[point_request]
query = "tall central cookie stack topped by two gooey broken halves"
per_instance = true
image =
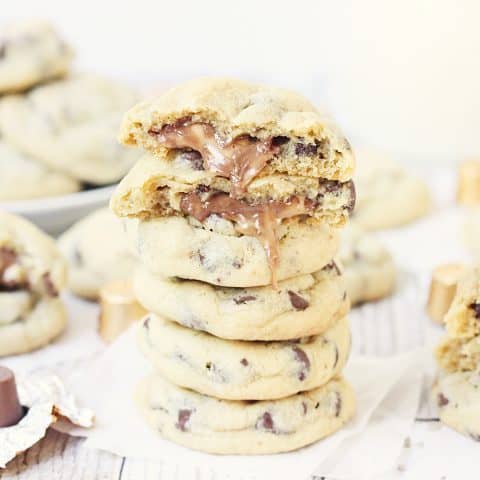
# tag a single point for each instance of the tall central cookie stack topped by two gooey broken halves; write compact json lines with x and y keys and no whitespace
{"x":234,"y":214}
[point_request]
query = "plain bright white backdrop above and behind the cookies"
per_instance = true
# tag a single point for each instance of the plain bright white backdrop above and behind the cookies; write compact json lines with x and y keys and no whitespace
{"x":404,"y":75}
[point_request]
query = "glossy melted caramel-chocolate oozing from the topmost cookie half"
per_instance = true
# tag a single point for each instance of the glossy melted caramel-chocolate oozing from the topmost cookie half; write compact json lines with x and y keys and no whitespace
{"x":240,"y":159}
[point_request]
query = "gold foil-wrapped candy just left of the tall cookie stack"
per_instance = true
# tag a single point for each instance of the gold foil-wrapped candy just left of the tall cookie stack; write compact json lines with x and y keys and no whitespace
{"x":118,"y":309}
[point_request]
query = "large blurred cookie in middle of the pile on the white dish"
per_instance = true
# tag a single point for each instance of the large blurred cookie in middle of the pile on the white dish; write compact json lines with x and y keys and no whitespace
{"x":70,"y":126}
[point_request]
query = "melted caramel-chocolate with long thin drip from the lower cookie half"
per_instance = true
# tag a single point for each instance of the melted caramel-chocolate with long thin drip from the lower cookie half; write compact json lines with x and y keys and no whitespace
{"x":260,"y":221}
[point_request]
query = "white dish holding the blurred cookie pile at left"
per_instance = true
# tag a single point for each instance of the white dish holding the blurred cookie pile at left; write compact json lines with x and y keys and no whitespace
{"x":56,"y":214}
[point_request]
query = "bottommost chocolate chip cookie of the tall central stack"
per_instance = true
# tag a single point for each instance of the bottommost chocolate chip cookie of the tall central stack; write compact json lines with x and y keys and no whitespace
{"x":245,"y":427}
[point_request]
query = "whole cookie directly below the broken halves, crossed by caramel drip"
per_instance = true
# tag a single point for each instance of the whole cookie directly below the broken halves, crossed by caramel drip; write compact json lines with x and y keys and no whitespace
{"x":213,"y":252}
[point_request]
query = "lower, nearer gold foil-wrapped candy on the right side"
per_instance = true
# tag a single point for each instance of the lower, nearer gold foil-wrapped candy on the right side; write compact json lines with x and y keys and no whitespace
{"x":442,"y":289}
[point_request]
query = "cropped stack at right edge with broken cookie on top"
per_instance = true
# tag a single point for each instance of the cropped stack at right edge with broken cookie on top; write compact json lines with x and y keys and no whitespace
{"x":457,"y":390}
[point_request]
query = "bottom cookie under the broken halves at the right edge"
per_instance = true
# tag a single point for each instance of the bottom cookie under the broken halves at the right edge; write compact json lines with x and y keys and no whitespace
{"x":457,"y":396}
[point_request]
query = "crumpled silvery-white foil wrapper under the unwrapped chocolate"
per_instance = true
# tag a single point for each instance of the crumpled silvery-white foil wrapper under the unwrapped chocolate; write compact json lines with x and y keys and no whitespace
{"x":45,"y":399}
